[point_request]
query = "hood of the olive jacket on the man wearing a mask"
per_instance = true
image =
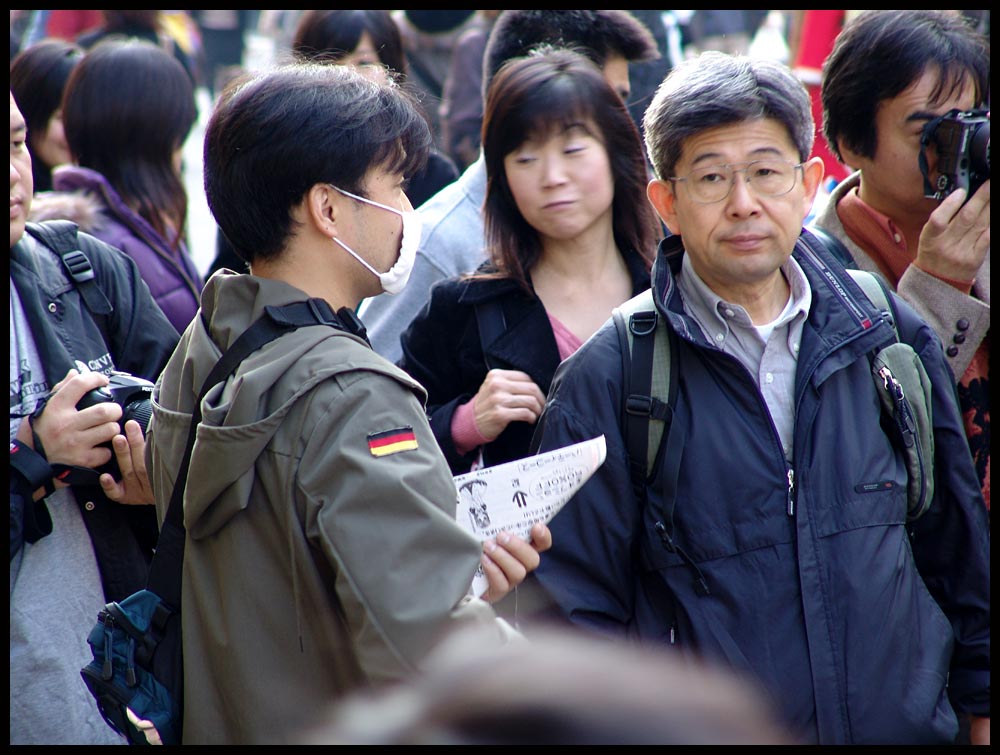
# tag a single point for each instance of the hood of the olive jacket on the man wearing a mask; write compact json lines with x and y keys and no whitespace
{"x":240,"y":415}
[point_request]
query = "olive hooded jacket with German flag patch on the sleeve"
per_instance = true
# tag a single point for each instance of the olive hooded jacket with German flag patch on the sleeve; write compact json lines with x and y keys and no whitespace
{"x":318,"y":559}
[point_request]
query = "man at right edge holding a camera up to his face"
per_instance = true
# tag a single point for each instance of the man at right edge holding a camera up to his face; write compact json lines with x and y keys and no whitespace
{"x":905,"y":99}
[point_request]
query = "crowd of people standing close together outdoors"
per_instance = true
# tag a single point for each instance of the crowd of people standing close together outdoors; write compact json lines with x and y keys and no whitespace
{"x":465,"y":198}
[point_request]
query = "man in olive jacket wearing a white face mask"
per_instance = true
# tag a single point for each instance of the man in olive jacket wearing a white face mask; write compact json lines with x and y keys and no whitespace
{"x":322,"y":550}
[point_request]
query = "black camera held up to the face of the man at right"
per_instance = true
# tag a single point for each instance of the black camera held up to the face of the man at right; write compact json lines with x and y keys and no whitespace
{"x":962,"y":142}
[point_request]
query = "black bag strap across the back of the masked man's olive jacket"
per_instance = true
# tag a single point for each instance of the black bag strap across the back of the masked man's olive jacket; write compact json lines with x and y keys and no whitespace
{"x":165,"y":569}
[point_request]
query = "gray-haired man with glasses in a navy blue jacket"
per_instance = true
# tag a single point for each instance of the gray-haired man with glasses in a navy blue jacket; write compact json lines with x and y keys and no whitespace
{"x":772,"y":535}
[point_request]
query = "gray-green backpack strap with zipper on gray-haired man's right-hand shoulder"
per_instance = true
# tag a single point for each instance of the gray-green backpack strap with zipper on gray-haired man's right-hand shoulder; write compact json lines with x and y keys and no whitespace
{"x":906,"y":395}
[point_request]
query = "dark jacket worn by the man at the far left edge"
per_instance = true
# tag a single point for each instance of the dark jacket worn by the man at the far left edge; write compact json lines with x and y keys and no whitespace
{"x":135,"y":337}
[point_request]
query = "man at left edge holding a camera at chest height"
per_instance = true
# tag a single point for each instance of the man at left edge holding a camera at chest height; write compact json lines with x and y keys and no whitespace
{"x":74,"y":320}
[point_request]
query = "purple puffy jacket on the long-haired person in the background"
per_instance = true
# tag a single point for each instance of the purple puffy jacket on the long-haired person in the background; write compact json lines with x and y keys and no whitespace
{"x":172,"y":276}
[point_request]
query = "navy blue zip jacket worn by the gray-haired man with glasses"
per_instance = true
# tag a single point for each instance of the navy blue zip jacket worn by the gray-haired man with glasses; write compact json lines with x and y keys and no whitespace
{"x":860,"y":627}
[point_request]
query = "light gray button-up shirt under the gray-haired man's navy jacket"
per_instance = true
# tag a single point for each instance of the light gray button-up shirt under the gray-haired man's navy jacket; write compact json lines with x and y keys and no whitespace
{"x":769,"y":352}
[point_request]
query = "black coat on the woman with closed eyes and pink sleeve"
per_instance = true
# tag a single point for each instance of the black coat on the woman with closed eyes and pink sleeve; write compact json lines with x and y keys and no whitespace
{"x":443,"y":351}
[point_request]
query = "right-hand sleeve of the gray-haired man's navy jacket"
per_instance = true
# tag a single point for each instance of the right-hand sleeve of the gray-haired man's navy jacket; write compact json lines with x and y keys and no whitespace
{"x":951,"y":544}
